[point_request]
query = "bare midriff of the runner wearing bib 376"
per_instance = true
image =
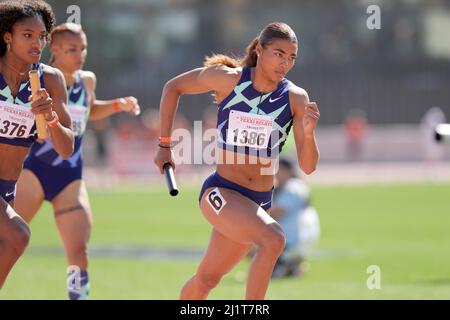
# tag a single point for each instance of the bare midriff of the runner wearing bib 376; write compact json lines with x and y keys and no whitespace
{"x":11,"y":161}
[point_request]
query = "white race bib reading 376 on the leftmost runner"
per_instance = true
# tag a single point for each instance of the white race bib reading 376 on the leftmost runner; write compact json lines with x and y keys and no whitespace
{"x":16,"y":121}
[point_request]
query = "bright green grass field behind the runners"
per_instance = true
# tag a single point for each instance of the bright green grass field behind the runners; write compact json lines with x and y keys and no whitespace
{"x":401,"y":228}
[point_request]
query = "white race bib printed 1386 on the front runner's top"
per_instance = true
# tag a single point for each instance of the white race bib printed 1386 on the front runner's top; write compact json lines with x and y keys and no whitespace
{"x":249,"y":130}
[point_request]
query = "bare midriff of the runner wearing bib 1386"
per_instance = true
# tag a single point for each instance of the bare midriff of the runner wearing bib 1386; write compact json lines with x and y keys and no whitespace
{"x":248,"y":171}
